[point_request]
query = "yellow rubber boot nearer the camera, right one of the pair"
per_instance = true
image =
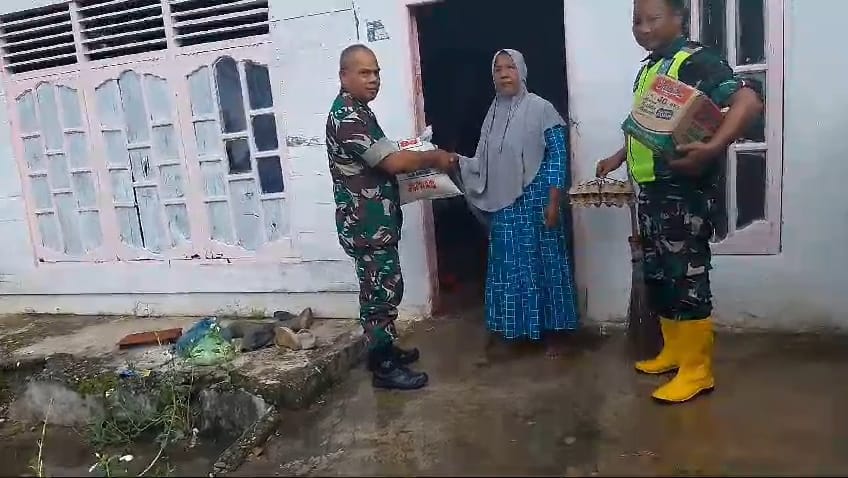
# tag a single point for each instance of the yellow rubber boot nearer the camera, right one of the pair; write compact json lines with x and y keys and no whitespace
{"x":695,"y":355}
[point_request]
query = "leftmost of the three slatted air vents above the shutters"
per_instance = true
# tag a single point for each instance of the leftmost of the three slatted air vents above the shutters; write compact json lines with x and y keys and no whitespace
{"x":37,"y":39}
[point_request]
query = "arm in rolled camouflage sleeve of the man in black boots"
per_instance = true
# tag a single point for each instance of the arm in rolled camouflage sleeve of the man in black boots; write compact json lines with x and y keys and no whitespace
{"x":356,"y":138}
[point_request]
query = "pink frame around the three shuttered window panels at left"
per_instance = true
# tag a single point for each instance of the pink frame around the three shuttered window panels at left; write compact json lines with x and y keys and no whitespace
{"x":172,"y":64}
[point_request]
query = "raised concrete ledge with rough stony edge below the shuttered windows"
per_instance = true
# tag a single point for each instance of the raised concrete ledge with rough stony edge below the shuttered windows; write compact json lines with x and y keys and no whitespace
{"x":51,"y":361}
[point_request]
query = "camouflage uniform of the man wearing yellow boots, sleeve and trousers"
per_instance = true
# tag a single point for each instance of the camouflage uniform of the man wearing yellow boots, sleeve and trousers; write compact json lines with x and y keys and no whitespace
{"x":677,"y":213}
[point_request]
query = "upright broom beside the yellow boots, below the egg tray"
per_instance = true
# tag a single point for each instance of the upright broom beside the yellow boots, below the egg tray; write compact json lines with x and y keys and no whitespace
{"x":643,"y":327}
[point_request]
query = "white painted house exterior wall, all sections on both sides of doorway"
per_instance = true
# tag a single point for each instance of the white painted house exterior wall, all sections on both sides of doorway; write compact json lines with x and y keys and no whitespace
{"x":802,"y":287}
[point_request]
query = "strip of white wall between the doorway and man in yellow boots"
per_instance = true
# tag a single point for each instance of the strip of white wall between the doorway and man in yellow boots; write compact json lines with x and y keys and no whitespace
{"x":601,"y":64}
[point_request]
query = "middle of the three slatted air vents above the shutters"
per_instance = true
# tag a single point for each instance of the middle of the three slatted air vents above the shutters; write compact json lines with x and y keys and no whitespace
{"x":113,"y":28}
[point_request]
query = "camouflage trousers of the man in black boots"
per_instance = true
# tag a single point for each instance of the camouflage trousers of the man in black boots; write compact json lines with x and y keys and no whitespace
{"x":380,"y":292}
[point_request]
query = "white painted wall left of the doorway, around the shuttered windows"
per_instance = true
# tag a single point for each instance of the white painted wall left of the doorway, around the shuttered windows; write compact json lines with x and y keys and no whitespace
{"x":308,"y":37}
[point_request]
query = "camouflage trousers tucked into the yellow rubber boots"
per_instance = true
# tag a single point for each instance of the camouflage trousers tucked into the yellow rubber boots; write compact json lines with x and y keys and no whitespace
{"x":675,"y":232}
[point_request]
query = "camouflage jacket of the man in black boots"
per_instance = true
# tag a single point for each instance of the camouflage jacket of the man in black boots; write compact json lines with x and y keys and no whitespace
{"x":368,"y":214}
